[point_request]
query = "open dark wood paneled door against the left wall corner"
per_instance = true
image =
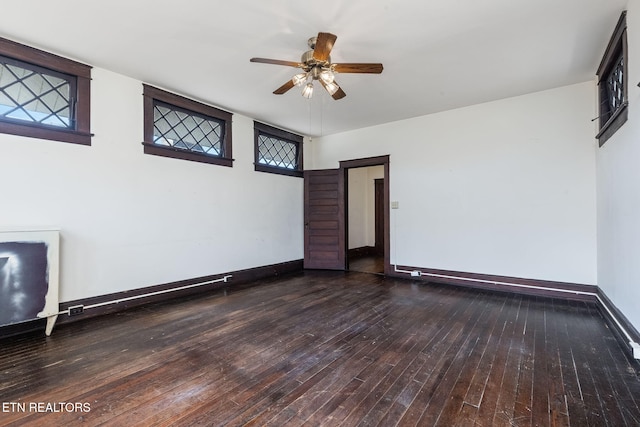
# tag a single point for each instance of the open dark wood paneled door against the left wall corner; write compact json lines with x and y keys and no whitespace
{"x":324,"y":229}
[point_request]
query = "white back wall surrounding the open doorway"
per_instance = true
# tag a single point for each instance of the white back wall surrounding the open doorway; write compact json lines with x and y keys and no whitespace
{"x":504,"y":188}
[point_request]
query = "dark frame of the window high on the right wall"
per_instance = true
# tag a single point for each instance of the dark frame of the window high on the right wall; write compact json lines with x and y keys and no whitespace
{"x":611,"y":121}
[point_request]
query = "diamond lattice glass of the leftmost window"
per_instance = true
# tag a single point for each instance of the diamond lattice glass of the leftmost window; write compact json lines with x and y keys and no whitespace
{"x":34,"y":96}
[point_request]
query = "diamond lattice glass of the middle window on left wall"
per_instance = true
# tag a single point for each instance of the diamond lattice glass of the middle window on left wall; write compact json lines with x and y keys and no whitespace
{"x":179,"y":129}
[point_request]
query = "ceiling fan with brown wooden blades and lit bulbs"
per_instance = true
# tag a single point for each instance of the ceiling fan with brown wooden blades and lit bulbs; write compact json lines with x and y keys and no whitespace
{"x":316,"y":65}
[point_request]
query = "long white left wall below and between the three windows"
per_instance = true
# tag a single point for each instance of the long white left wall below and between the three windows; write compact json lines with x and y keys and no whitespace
{"x":131,"y":220}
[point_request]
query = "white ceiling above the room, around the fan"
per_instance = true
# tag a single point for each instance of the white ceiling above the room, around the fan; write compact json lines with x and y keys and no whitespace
{"x":437,"y":54}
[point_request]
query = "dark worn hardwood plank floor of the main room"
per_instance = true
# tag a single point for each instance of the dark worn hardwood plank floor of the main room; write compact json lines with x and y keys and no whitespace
{"x":328,"y":348}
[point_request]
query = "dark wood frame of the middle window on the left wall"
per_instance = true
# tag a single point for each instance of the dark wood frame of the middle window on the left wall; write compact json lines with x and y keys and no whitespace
{"x":180,"y":103}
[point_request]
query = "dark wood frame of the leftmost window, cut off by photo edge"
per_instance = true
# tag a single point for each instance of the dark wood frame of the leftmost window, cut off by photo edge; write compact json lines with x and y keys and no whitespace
{"x":80,"y":131}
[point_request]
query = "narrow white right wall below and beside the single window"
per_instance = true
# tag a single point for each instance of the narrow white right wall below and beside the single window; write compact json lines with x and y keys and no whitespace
{"x":619,"y":194}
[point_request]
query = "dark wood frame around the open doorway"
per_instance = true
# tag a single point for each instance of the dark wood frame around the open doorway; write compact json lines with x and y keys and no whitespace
{"x":345,"y":165}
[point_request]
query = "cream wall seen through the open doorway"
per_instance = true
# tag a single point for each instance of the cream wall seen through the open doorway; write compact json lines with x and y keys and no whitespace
{"x":361,"y":192}
